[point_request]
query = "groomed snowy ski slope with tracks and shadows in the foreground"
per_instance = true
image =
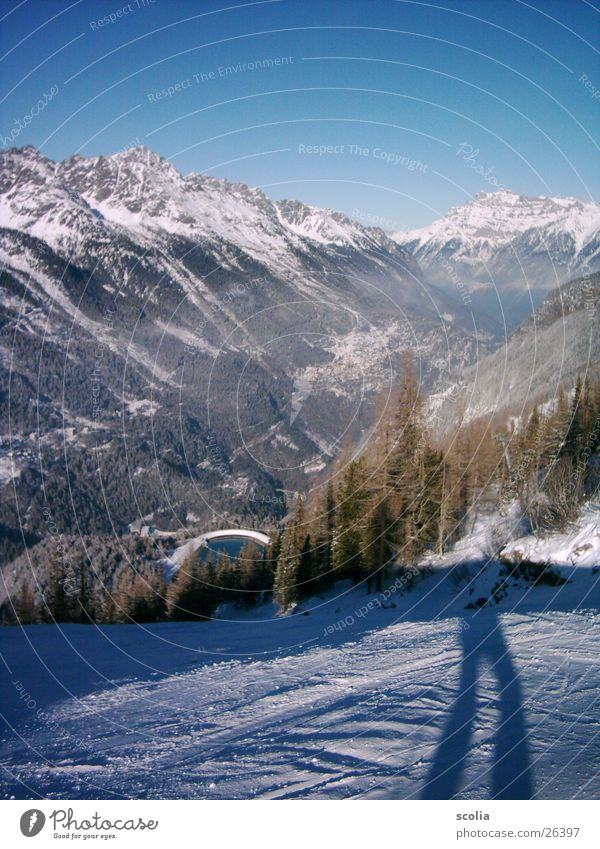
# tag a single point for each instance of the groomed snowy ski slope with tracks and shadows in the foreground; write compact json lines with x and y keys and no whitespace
{"x":397,"y":695}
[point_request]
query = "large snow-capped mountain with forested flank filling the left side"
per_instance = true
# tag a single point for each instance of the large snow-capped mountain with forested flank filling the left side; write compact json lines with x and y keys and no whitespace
{"x":182,"y":346}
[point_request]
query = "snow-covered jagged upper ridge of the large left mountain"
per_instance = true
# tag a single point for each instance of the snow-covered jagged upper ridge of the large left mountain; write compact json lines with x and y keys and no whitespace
{"x":142,"y":193}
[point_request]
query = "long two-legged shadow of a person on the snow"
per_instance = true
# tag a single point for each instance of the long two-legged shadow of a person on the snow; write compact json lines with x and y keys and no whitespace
{"x":483,"y":640}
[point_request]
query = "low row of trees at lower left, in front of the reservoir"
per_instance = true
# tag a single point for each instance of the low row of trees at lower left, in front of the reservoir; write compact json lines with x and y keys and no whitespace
{"x":105,"y":580}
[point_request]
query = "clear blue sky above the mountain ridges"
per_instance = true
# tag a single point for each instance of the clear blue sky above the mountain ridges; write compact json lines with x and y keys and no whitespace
{"x":411,"y":107}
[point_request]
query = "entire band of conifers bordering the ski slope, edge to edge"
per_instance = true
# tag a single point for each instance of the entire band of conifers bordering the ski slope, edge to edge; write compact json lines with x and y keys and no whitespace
{"x":382,"y":508}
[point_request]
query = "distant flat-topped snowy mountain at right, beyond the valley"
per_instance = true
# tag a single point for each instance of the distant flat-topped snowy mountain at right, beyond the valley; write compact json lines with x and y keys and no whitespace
{"x":505,"y":252}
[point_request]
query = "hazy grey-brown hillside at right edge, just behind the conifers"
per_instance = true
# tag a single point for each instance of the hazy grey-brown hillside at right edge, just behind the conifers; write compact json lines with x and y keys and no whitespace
{"x":560,"y":342}
